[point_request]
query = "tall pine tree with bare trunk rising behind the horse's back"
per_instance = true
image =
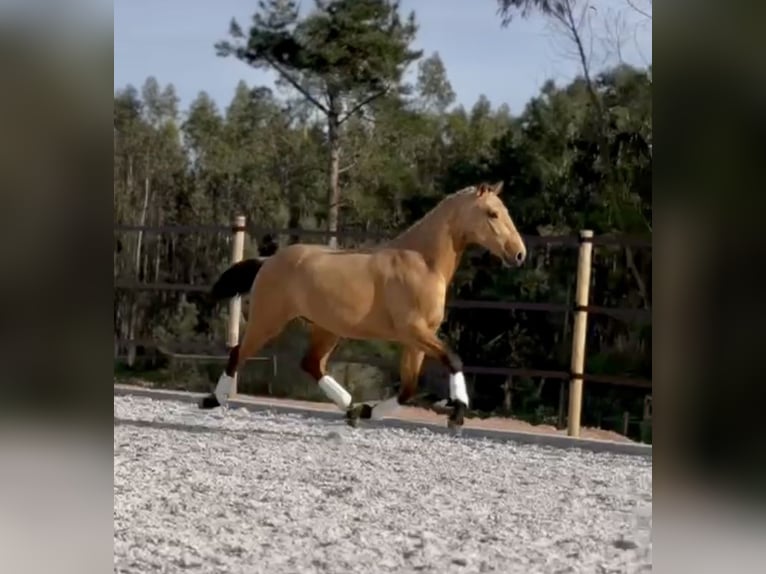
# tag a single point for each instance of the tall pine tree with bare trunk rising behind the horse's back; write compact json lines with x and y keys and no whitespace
{"x":340,"y":57}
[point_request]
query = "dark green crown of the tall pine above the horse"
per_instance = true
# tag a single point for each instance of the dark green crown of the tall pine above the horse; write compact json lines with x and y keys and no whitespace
{"x":350,"y":45}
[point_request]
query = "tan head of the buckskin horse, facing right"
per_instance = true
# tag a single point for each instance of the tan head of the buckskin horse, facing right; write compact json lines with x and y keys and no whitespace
{"x":484,"y":220}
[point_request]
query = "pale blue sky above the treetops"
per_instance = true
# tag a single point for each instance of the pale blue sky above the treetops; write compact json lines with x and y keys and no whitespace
{"x":173,"y":41}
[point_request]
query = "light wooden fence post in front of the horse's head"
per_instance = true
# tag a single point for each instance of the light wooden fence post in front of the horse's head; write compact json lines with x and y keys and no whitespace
{"x":579,"y":332}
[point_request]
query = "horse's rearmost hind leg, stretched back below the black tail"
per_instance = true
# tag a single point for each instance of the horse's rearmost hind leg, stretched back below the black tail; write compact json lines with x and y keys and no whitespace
{"x":258,"y":332}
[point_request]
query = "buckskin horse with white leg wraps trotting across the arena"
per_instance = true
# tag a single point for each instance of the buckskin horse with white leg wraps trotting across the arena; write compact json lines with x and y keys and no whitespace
{"x":395,"y":292}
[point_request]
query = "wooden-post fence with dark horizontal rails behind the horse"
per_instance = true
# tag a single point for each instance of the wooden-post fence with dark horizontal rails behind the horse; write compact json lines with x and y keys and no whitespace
{"x":581,"y":309}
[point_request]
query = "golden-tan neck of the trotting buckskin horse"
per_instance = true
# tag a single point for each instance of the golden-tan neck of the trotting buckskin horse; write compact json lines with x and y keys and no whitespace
{"x":432,"y":238}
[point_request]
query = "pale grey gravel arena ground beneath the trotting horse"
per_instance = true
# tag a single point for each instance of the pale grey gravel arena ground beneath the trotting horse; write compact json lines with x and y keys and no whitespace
{"x":243,"y":492}
